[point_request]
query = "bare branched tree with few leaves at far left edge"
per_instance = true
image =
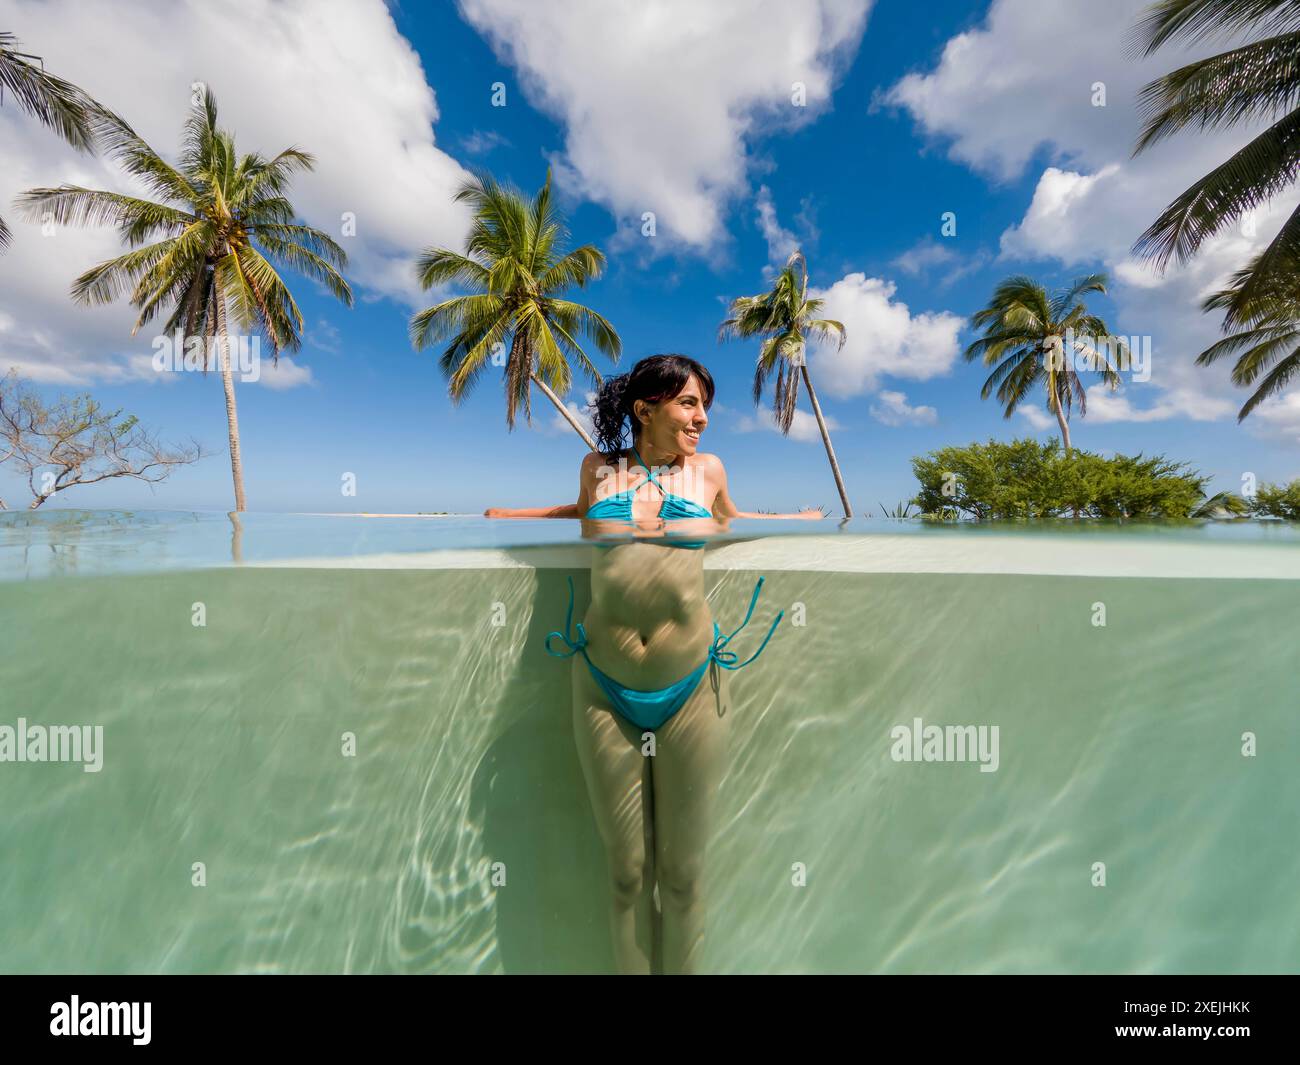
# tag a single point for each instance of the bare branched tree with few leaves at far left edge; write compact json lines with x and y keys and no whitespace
{"x":77,"y":441}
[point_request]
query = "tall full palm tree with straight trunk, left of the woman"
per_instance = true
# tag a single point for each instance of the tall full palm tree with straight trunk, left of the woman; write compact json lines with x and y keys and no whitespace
{"x":218,"y":224}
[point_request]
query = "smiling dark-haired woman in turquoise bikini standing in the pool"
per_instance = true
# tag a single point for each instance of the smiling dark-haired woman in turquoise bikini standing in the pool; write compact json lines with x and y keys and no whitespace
{"x":651,"y":735}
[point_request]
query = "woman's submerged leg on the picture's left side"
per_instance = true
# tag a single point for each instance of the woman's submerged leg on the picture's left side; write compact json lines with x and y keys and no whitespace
{"x":618,"y":782}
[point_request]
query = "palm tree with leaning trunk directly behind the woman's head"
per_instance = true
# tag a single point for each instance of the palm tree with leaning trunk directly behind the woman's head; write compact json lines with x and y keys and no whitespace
{"x":517,"y":266}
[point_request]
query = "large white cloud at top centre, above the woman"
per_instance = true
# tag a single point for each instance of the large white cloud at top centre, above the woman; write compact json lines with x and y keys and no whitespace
{"x":661,"y":102}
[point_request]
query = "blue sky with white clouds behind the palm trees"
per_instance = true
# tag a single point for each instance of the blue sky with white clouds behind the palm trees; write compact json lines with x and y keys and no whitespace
{"x":911,"y":125}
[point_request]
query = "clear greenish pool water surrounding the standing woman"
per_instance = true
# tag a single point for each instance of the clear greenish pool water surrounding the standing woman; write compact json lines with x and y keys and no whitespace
{"x":460,"y":835}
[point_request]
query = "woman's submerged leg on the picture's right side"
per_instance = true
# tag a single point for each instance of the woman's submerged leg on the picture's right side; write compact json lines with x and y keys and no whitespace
{"x":691,"y":755}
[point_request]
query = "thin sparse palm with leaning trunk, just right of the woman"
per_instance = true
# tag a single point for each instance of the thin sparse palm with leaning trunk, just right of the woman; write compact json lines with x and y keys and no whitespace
{"x":786,"y":318}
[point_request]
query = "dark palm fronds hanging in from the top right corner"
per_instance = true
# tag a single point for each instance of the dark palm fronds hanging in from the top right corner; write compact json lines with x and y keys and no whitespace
{"x":1256,"y":81}
